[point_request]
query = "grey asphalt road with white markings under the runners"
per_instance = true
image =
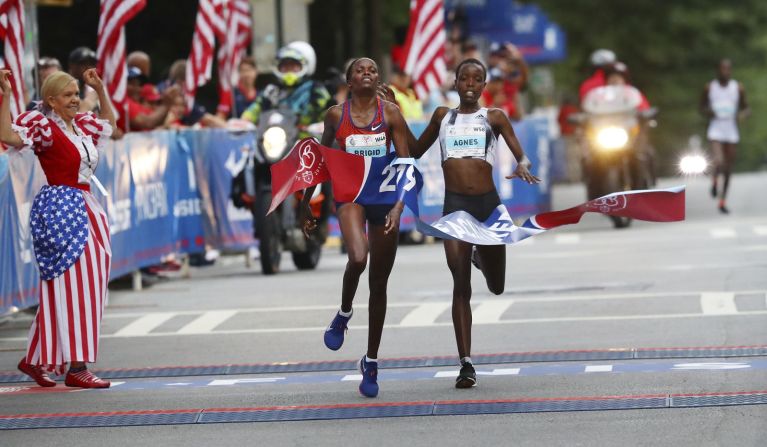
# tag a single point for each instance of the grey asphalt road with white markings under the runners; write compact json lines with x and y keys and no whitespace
{"x":587,"y":289}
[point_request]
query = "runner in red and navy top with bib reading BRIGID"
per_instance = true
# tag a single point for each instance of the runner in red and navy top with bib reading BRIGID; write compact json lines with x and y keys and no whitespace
{"x":365,"y":125}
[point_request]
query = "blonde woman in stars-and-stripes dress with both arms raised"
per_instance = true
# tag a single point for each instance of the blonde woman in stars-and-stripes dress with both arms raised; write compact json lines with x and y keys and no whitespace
{"x":70,"y":230}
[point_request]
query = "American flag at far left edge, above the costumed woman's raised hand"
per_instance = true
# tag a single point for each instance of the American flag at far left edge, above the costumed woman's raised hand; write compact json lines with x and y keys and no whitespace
{"x":12,"y":33}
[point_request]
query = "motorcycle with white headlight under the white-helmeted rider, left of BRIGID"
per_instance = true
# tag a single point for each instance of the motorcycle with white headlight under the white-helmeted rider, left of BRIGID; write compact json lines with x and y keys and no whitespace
{"x":277,"y":132}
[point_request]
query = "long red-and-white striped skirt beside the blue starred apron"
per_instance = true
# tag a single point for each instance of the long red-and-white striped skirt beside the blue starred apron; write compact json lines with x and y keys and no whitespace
{"x":68,"y":322}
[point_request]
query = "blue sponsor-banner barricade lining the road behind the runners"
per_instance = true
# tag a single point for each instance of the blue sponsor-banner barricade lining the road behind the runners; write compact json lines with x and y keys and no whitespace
{"x":168,"y":192}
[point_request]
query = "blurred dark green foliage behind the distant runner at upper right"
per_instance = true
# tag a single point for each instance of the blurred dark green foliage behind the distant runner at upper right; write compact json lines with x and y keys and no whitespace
{"x":672,"y":49}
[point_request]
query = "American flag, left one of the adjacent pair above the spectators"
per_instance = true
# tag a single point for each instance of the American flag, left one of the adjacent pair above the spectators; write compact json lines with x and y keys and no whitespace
{"x":209,"y":26}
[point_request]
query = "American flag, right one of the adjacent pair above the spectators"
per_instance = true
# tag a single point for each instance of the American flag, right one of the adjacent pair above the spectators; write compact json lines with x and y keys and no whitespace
{"x":237,"y":40}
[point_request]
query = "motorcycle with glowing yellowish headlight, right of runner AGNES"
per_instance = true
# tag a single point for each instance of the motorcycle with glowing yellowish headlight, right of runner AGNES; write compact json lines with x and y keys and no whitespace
{"x":613,"y":133}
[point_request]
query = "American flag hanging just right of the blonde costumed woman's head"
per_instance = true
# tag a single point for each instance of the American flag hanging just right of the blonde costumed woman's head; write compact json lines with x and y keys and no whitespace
{"x":113,"y":16}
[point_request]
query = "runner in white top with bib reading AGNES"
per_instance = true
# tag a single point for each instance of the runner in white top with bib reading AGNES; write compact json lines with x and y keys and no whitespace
{"x":468,"y":138}
